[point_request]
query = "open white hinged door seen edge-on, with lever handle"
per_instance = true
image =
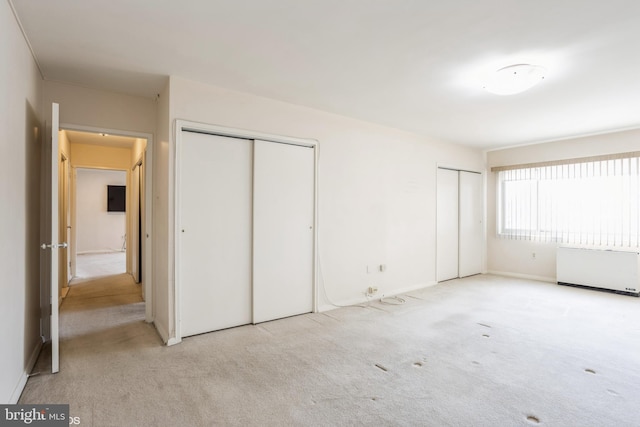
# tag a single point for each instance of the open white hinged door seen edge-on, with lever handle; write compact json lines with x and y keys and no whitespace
{"x":50,"y":245}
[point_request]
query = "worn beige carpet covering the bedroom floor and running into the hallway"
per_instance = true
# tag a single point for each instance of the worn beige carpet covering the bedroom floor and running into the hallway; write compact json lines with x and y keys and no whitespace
{"x":480,"y":351}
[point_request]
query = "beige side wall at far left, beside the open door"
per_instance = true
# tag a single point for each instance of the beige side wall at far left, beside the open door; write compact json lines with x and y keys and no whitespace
{"x":21,"y":134}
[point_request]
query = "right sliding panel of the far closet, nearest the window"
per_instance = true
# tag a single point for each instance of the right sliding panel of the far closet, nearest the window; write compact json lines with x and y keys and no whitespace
{"x":471,"y":239}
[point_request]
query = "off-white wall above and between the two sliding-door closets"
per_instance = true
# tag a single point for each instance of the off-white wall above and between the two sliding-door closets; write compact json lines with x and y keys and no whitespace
{"x":377,"y":187}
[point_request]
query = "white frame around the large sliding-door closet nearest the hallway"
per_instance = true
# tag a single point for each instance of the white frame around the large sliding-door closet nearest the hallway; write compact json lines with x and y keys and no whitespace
{"x":174,"y":214}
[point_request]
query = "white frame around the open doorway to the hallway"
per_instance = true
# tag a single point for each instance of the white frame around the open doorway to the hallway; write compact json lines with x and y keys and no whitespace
{"x":148,"y":246}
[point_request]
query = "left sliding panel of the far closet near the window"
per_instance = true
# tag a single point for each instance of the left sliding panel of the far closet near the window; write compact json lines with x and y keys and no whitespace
{"x":447,"y":225}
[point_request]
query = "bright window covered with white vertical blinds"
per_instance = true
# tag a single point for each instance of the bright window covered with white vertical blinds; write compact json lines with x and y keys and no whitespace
{"x":594,"y":202}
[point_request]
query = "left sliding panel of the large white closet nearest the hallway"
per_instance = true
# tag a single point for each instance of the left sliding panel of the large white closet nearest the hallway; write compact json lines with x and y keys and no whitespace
{"x":214,"y":234}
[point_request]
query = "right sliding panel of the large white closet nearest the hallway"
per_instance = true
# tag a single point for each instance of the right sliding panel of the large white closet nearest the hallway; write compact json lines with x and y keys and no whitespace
{"x":283,"y":204}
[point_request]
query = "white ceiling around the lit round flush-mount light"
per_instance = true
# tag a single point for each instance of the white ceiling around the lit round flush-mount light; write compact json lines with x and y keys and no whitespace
{"x":411,"y":64}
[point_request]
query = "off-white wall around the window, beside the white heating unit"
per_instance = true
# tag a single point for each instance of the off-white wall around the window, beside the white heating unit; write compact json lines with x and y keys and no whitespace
{"x":515,"y":257}
